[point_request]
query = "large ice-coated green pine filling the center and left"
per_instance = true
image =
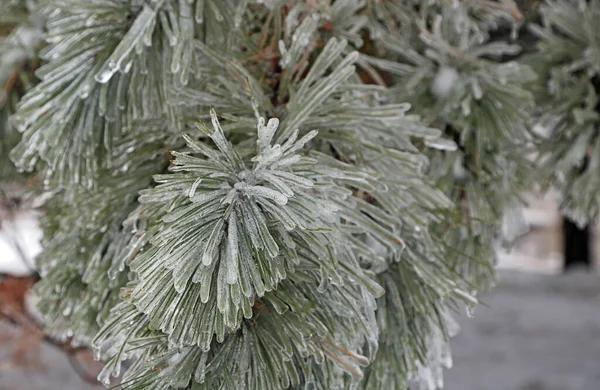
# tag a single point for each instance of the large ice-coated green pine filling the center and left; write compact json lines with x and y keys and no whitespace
{"x":270,"y":194}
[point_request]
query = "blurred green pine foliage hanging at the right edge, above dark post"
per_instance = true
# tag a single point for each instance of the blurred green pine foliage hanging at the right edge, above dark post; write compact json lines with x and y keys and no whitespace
{"x":568,"y":60}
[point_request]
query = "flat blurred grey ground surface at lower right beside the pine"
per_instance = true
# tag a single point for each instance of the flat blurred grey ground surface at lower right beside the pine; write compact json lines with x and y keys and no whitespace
{"x":537,"y":332}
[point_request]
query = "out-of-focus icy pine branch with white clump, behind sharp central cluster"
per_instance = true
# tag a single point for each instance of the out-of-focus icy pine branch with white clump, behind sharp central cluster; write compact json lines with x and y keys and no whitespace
{"x":443,"y":61}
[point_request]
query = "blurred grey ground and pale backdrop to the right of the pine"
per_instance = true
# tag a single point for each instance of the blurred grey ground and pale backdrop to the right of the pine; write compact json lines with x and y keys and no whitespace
{"x":539,"y":329}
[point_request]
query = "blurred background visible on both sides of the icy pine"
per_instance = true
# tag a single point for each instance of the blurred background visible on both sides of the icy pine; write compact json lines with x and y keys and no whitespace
{"x":538,"y":329}
